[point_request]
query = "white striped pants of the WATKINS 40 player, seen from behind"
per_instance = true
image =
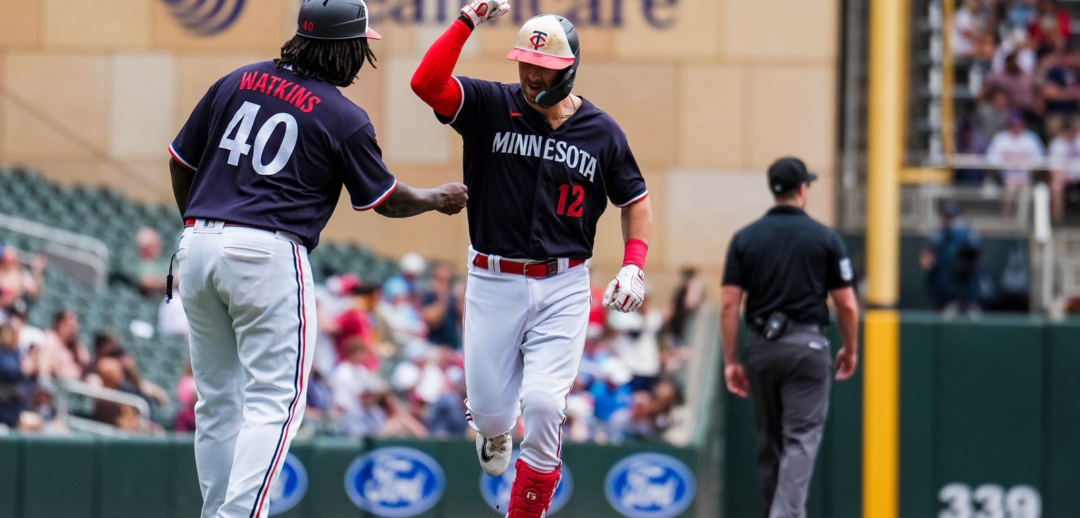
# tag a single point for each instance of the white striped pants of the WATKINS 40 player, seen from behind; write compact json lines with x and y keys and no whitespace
{"x":250,"y":301}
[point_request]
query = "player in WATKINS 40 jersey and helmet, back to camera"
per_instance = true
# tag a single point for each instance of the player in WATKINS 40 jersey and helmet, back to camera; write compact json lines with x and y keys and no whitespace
{"x":258,"y":171}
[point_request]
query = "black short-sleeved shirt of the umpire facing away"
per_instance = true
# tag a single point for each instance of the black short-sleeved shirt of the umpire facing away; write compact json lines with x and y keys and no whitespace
{"x":787,"y":262}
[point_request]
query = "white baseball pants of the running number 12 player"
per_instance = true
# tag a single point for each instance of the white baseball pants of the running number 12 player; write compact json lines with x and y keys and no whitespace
{"x":523,"y":345}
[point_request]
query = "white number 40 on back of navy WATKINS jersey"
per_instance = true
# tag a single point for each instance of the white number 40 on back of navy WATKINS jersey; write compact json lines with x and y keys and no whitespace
{"x":239,"y":146}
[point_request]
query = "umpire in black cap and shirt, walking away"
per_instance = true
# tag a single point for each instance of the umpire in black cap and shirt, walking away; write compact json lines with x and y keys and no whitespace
{"x":788,"y":265}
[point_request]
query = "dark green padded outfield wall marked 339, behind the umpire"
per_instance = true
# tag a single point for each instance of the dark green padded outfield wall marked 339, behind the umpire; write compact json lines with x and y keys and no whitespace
{"x":990,"y":427}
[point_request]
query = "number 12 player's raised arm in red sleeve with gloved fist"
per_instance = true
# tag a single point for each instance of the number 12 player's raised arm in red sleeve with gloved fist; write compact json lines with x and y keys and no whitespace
{"x":434,"y":81}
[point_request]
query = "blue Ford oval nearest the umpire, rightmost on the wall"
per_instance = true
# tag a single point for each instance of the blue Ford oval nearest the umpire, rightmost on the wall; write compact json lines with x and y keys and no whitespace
{"x":651,"y":486}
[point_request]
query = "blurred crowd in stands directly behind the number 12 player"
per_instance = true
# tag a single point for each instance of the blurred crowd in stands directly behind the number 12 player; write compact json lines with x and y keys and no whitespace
{"x":389,"y":362}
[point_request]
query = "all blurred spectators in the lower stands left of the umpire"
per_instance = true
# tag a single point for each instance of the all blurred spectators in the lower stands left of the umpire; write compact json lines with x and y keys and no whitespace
{"x":388,"y":357}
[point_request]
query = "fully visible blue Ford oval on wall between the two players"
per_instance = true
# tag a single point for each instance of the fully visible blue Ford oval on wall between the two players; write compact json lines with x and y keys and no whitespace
{"x":395,"y":483}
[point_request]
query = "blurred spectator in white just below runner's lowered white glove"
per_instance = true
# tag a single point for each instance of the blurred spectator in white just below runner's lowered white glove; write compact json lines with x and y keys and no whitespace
{"x":637,"y":344}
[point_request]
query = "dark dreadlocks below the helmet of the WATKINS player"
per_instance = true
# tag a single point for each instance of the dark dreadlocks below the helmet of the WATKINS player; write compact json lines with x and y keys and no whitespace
{"x":335,"y":62}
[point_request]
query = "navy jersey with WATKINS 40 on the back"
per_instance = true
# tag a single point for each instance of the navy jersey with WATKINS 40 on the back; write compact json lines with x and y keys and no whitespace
{"x":273,"y":151}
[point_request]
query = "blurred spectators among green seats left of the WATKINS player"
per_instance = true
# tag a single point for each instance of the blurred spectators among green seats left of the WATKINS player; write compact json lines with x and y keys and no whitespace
{"x":34,"y":361}
